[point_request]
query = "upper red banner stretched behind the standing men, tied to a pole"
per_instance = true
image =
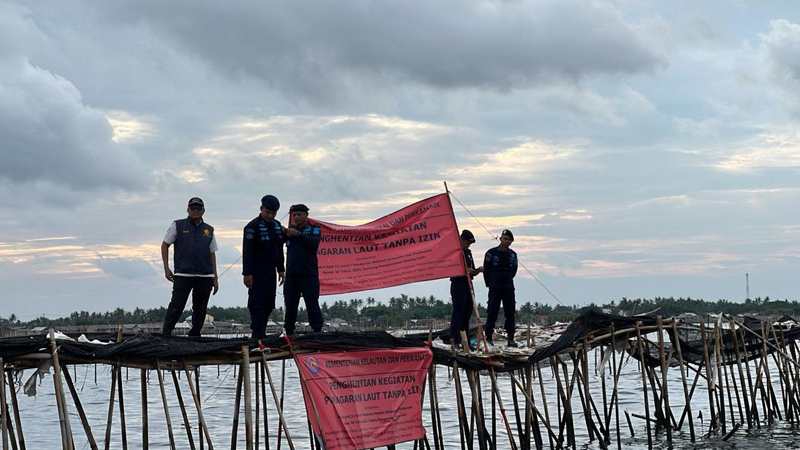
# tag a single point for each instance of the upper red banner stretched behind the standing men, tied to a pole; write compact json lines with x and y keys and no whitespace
{"x":417,"y":243}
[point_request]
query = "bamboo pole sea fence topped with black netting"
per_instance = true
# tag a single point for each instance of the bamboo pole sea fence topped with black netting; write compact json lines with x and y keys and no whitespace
{"x":724,"y":376}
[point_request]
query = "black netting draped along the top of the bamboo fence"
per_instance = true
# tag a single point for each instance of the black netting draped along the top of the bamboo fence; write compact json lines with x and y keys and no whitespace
{"x":744,"y":344}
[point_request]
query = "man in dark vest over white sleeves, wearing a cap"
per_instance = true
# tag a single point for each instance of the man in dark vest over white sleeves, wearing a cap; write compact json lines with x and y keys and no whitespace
{"x":195,"y":266}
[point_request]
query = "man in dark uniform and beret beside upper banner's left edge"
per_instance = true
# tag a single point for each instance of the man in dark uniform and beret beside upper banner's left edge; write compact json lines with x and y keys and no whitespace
{"x":302,"y":275}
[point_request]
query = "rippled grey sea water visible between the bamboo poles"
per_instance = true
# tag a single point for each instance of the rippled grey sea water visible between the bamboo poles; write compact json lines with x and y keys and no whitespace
{"x":218,"y":389}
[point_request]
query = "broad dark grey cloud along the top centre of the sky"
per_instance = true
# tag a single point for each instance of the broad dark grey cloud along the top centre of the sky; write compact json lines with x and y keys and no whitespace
{"x":314,"y":50}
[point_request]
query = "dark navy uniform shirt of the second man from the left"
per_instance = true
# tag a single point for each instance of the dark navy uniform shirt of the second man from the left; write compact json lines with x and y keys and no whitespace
{"x":262,"y":247}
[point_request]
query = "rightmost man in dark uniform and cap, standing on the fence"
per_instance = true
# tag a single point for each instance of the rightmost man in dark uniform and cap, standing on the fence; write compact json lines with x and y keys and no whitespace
{"x":500,"y":266}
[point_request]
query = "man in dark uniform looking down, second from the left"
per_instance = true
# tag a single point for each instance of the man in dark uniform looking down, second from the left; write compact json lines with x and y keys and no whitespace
{"x":262,"y":256}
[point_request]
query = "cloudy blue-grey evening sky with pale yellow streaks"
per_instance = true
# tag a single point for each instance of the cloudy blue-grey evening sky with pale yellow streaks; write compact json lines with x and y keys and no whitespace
{"x":635,"y":148}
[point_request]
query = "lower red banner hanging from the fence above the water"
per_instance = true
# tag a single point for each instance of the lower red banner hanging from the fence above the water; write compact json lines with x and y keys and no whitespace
{"x":365,"y":399}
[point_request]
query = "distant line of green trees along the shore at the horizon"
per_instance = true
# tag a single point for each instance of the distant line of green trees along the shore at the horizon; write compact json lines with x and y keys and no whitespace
{"x":399,"y":311}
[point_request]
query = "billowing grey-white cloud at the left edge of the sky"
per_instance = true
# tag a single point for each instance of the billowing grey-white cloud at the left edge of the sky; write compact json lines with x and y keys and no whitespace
{"x":47,"y":133}
